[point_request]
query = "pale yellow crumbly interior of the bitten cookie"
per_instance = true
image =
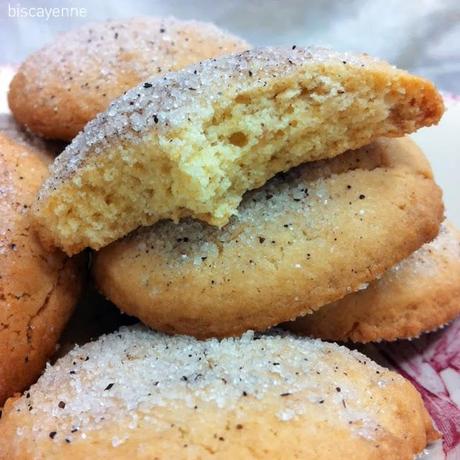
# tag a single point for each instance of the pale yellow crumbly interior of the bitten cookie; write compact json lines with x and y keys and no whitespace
{"x":203,"y":168}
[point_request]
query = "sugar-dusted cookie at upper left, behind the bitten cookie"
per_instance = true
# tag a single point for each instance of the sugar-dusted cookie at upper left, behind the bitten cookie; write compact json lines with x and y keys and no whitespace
{"x":59,"y":88}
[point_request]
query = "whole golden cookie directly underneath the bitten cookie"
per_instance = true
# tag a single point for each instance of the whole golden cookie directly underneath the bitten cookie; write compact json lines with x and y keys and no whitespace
{"x":306,"y":238}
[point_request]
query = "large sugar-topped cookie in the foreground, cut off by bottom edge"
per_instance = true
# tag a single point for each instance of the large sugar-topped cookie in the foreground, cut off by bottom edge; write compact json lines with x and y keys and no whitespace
{"x":142,"y":395}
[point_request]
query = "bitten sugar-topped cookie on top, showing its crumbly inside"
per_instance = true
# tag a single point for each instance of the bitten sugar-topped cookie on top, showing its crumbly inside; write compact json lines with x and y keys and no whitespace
{"x":192,"y":142}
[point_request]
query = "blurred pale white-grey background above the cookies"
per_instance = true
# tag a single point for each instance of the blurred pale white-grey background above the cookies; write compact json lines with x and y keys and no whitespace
{"x":420,"y":35}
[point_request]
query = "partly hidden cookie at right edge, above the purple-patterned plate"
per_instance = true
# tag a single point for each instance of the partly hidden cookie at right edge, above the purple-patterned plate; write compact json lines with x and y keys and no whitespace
{"x":420,"y":294}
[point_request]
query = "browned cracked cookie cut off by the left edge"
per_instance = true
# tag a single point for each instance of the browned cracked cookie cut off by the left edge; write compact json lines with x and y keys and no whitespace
{"x":38,"y":287}
